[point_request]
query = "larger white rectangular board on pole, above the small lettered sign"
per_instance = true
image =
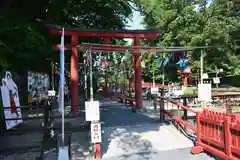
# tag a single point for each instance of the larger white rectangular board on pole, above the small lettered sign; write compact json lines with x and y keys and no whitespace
{"x":92,"y":111}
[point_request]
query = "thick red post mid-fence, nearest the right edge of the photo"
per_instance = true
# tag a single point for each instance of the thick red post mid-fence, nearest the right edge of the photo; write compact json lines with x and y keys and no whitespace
{"x":227,"y":136}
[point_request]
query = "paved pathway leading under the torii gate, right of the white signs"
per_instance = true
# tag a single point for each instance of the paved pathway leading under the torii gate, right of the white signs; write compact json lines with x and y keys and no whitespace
{"x":140,"y":136}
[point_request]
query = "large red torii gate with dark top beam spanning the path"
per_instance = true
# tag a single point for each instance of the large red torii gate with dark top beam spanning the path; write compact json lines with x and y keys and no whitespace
{"x":107,"y":35}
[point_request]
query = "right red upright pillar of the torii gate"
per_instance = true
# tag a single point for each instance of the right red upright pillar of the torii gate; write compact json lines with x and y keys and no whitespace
{"x":138,"y":75}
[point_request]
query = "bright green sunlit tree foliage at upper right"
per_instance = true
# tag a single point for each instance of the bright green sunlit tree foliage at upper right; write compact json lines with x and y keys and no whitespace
{"x":197,"y":23}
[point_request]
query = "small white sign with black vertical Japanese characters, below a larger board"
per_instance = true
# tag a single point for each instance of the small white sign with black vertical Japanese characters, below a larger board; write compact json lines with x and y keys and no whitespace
{"x":96,"y":136}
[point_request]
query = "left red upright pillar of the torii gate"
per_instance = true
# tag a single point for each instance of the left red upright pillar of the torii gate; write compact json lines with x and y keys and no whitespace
{"x":74,"y":74}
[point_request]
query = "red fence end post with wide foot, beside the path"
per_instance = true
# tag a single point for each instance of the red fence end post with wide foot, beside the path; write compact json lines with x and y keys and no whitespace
{"x":197,"y":148}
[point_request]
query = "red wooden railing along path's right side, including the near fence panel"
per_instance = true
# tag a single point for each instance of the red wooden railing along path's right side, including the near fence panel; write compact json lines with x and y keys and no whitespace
{"x":216,"y":132}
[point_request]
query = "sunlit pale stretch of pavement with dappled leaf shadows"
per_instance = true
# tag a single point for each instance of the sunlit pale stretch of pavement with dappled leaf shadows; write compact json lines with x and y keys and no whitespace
{"x":150,"y":138}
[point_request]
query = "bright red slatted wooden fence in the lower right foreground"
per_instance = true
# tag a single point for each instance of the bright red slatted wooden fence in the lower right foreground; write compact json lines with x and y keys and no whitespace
{"x":218,"y":133}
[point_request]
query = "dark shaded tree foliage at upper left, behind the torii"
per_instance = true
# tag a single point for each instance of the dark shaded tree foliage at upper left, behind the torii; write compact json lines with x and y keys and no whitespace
{"x":24,"y":40}
